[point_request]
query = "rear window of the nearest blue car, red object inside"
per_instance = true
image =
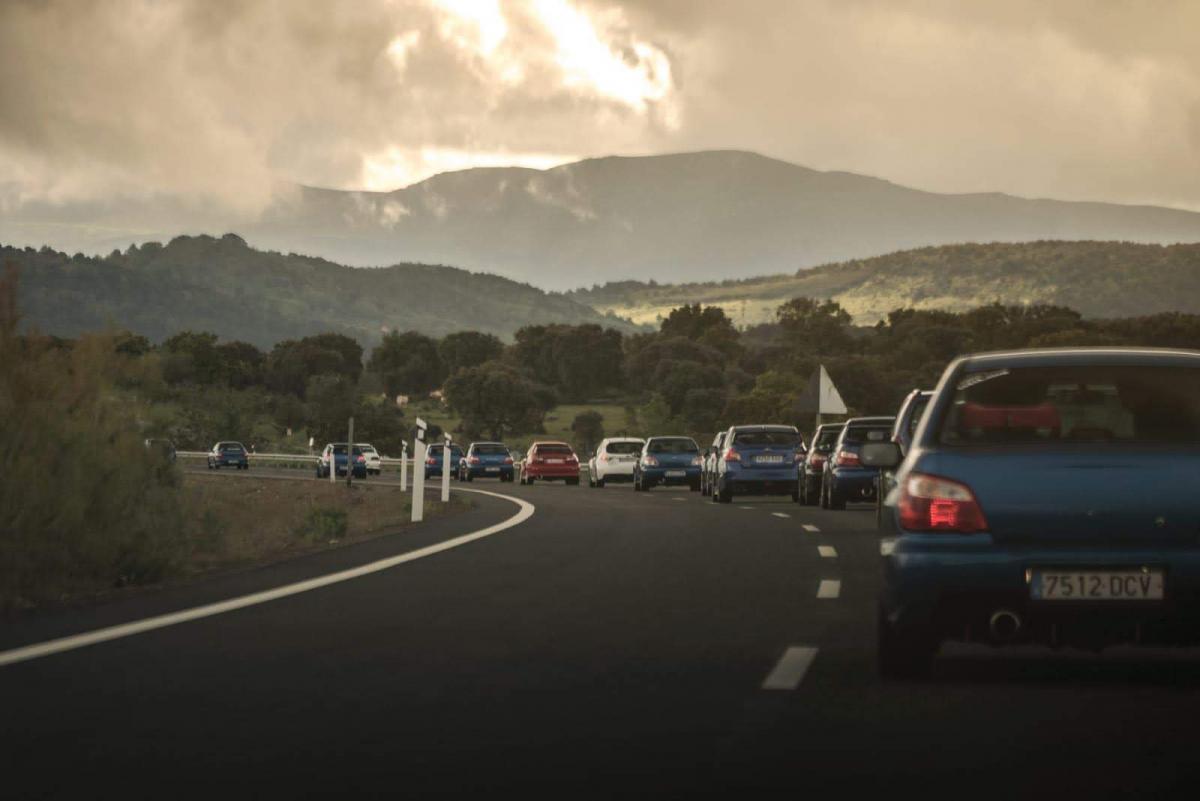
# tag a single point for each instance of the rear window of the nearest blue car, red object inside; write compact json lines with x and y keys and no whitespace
{"x":1033,"y":406}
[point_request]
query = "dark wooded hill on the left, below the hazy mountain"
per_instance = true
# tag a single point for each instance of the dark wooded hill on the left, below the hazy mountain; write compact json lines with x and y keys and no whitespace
{"x":225,"y":287}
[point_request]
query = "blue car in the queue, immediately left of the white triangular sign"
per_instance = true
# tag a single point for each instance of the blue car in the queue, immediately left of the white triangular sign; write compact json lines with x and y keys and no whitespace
{"x":759,"y":461}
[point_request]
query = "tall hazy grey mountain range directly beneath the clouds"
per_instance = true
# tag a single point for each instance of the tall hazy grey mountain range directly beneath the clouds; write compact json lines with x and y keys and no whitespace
{"x":703,"y":216}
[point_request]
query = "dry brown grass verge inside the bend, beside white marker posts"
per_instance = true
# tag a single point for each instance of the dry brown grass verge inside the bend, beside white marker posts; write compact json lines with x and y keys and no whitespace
{"x":235,"y":522}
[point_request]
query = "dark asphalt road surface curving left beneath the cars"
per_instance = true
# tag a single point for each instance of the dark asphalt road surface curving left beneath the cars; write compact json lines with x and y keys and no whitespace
{"x":616,"y":645}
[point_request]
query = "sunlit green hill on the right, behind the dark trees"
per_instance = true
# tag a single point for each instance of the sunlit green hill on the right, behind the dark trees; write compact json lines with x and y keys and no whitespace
{"x":1099,"y":279}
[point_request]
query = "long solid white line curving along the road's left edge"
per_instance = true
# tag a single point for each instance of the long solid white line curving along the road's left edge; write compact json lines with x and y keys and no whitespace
{"x":27,"y":653}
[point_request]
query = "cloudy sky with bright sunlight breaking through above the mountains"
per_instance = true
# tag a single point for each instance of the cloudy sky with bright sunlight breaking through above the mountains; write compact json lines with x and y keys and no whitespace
{"x":226,"y":101}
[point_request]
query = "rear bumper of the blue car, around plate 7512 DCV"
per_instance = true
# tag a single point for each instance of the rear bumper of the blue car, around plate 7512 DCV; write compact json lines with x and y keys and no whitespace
{"x":952,"y":588}
